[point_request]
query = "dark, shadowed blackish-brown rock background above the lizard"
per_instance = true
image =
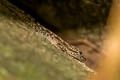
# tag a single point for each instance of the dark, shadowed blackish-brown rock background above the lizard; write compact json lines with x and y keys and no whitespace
{"x":67,"y":14}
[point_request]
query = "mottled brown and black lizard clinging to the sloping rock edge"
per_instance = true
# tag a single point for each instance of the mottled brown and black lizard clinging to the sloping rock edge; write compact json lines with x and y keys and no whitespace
{"x":58,"y":42}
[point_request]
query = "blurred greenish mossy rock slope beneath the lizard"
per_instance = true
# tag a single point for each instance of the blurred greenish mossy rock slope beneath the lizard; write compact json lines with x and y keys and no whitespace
{"x":26,"y":55}
